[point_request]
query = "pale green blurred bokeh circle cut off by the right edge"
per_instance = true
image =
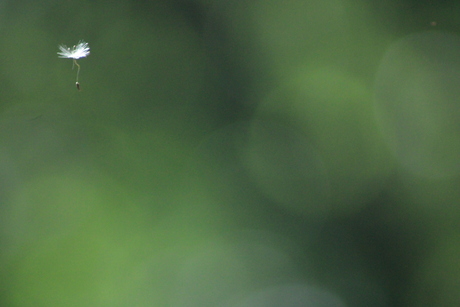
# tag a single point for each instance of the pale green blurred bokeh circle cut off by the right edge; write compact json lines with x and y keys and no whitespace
{"x":416,"y":100}
